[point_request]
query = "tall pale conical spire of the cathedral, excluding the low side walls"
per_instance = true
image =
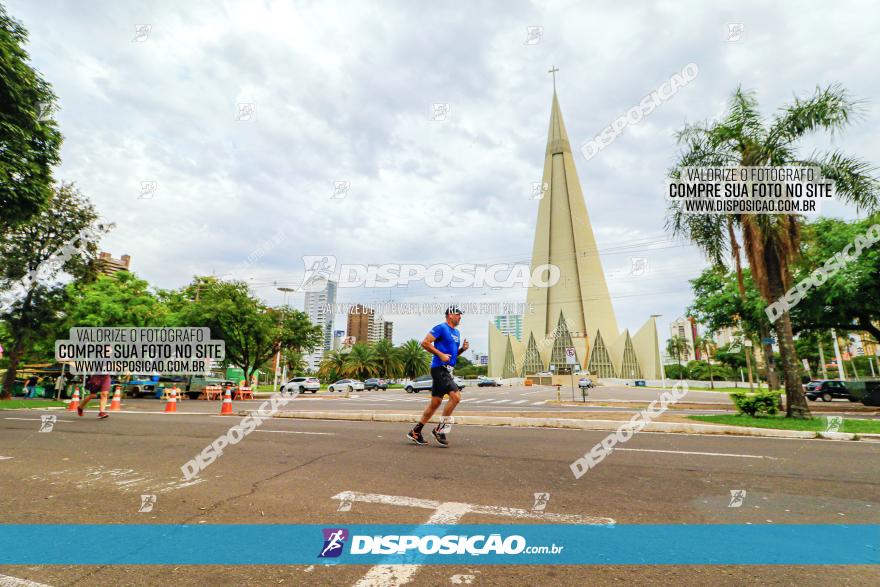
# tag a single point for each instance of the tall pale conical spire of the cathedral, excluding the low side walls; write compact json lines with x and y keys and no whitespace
{"x":564,"y":238}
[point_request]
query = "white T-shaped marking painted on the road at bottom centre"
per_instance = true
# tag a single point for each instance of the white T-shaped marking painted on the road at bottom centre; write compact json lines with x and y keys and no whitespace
{"x":444,"y":513}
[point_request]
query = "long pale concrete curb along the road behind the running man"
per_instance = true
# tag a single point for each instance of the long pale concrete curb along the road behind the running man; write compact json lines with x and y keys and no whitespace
{"x":608,"y":425}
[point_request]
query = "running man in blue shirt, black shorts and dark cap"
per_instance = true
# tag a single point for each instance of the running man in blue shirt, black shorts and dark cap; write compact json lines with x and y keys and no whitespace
{"x":442,"y":342}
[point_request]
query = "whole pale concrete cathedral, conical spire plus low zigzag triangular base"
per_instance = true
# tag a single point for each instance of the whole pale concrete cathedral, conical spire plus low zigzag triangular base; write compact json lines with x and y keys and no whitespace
{"x":576,"y":312}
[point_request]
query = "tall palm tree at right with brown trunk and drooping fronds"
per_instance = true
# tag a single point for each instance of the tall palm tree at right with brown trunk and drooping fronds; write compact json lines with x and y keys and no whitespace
{"x":772,"y":241}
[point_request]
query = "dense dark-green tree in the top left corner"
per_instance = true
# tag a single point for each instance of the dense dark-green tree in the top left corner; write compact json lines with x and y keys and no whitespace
{"x":30,"y":141}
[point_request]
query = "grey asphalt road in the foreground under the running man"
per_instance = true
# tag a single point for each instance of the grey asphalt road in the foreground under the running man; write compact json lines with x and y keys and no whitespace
{"x":288,"y":471}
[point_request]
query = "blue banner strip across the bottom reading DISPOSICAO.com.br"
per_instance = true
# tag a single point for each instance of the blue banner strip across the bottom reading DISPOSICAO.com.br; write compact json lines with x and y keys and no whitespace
{"x":514,"y":544}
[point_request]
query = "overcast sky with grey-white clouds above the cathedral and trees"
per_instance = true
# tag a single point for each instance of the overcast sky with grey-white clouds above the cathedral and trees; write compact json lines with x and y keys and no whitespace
{"x":344,"y":92}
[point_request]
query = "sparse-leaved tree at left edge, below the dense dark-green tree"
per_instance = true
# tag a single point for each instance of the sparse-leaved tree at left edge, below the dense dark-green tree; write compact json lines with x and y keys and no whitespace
{"x":32,"y":255}
